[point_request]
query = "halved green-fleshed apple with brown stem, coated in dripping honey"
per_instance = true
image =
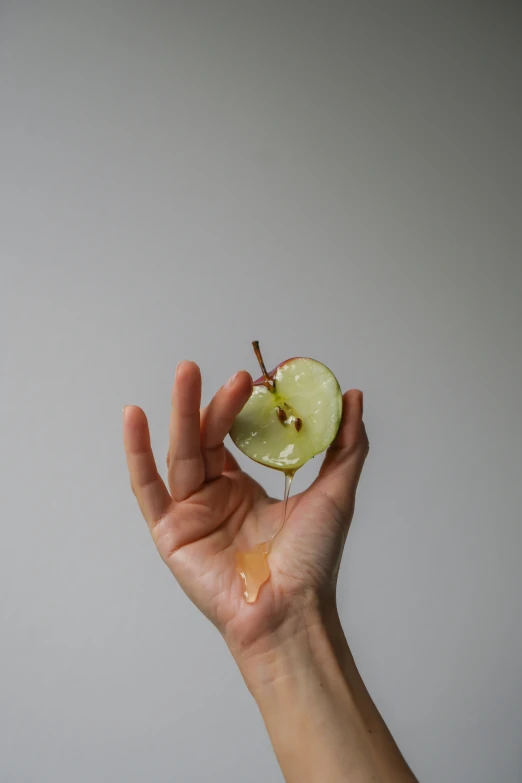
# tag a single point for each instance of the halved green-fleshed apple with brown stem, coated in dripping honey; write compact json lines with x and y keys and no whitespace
{"x":293,"y":414}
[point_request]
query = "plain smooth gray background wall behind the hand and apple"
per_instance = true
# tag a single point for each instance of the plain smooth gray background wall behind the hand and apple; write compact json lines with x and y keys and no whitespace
{"x":337,"y":180}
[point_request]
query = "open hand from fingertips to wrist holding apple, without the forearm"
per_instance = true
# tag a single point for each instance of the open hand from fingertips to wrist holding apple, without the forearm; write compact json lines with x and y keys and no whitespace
{"x":213,"y":509}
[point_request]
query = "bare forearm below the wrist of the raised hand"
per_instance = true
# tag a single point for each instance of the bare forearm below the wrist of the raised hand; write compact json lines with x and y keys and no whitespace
{"x":321,"y":720}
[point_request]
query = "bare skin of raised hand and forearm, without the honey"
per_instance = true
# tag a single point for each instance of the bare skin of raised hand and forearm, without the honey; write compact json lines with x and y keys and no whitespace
{"x":289,"y":644}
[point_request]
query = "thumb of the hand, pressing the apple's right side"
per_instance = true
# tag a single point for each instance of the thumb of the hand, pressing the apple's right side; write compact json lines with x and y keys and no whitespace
{"x":343,"y":464}
